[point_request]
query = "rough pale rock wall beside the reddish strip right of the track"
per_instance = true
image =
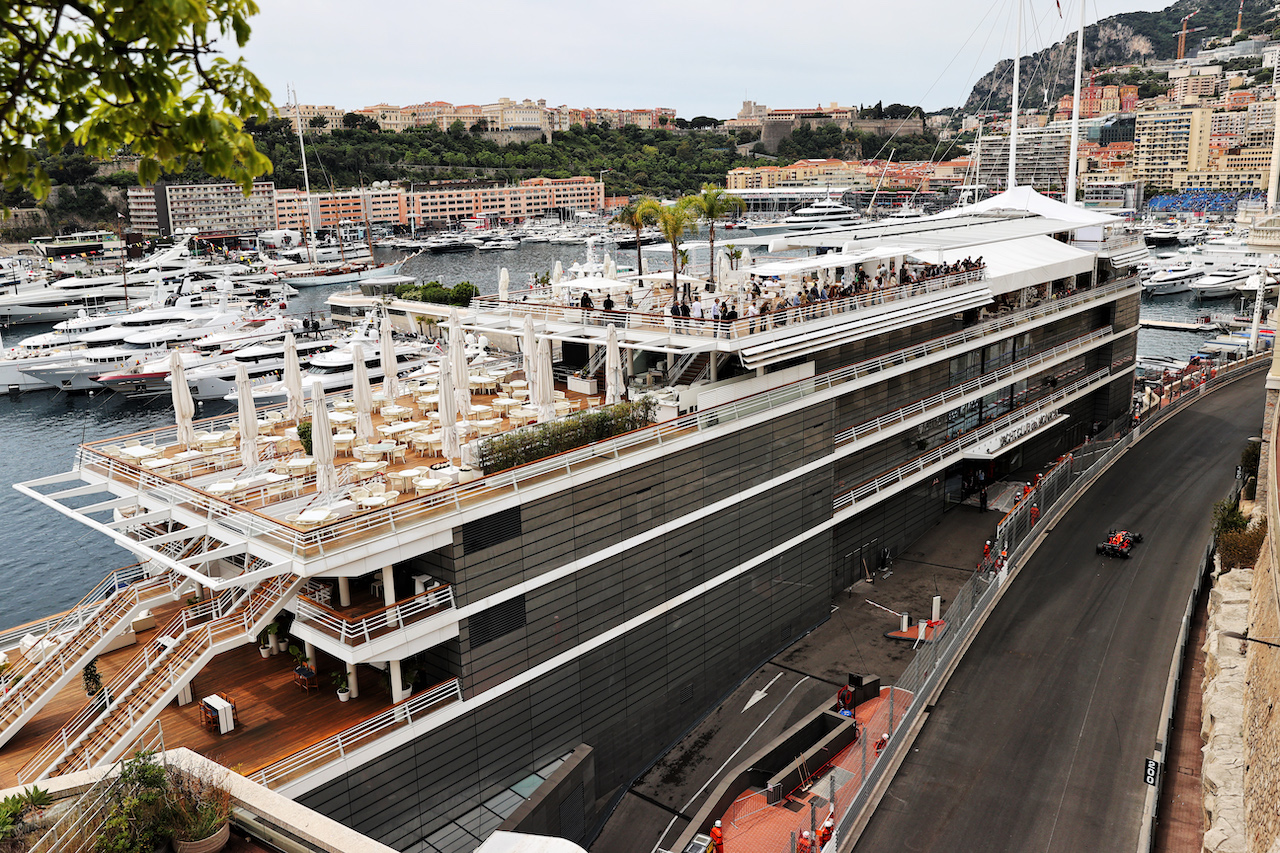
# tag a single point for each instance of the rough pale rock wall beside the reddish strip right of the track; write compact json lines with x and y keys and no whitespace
{"x":1223,"y":719}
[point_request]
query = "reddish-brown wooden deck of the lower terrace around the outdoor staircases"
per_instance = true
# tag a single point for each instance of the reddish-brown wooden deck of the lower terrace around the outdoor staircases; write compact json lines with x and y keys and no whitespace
{"x":277,"y":718}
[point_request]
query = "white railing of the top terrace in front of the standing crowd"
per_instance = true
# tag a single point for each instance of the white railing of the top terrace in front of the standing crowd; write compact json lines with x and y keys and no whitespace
{"x":730,"y":330}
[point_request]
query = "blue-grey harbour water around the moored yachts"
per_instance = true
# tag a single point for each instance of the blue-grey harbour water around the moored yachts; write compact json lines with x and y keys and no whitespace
{"x":48,"y":562}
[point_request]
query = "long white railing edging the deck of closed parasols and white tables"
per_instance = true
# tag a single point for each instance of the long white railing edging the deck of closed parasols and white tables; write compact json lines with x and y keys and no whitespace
{"x":253,"y":524}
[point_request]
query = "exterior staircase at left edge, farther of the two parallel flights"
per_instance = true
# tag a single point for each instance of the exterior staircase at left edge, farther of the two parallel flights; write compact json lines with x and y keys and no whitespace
{"x":81,"y":637}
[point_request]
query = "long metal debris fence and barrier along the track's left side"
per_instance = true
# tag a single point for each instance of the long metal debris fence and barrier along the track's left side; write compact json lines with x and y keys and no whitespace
{"x":1017,"y":535}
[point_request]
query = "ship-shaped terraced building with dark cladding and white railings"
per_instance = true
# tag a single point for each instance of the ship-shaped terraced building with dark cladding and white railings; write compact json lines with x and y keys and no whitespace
{"x":486,"y":633}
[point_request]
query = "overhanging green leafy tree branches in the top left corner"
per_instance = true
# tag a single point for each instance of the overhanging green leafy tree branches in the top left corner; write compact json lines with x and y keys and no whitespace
{"x":147,"y":75}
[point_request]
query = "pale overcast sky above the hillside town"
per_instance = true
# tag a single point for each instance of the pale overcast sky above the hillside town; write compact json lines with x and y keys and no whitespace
{"x":700,"y":57}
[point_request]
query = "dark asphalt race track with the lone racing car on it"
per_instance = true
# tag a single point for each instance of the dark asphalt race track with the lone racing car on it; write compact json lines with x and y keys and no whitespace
{"x":1037,"y":743}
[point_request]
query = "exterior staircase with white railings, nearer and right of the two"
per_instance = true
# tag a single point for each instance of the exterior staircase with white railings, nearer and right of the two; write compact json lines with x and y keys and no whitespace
{"x":113,"y":720}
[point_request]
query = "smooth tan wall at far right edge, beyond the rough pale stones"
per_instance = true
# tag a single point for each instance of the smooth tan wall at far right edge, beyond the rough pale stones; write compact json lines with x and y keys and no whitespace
{"x":1261,"y":718}
